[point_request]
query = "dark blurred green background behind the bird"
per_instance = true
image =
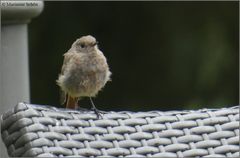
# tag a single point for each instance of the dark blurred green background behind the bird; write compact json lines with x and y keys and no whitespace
{"x":163,"y":55}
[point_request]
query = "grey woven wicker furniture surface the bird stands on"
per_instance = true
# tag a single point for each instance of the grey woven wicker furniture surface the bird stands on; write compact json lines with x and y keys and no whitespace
{"x":33,"y":130}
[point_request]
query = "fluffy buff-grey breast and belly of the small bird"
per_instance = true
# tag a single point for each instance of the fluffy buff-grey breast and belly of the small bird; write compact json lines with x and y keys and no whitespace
{"x":87,"y":74}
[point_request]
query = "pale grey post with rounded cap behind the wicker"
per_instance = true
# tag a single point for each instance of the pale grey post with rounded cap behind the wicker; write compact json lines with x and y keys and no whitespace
{"x":14,"y":71}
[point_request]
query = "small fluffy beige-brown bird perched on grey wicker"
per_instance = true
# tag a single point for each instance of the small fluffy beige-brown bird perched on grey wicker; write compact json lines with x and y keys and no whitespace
{"x":84,"y":72}
